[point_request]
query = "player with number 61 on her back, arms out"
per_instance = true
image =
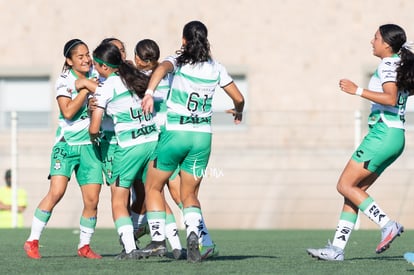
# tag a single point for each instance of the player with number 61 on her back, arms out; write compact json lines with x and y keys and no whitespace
{"x":186,"y":140}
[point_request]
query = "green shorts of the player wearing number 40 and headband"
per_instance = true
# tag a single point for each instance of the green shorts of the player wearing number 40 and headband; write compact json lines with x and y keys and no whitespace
{"x":131,"y":163}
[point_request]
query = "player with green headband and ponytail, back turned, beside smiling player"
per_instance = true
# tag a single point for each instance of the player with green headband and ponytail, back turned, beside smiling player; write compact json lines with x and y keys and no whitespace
{"x":120,"y":96}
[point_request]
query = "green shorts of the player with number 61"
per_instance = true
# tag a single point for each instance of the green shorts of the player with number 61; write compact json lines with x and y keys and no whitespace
{"x":189,"y":150}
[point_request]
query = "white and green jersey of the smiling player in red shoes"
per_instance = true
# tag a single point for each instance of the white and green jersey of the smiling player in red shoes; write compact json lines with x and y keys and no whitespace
{"x":74,"y":131}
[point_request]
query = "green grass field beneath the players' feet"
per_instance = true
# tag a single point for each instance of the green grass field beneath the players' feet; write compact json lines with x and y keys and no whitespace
{"x":241,"y":252}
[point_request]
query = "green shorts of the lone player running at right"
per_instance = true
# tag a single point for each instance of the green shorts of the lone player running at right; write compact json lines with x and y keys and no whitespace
{"x":380,"y":147}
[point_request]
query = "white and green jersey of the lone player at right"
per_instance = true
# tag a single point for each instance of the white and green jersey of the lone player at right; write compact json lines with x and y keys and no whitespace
{"x":393,"y":116}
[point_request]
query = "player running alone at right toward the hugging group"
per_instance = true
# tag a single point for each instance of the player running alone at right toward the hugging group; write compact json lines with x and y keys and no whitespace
{"x":388,"y":91}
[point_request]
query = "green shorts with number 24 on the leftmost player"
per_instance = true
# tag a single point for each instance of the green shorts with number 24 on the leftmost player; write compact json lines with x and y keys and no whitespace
{"x":83,"y":159}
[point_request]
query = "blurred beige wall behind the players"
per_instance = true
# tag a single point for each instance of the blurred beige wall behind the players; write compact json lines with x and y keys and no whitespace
{"x":278,"y":170}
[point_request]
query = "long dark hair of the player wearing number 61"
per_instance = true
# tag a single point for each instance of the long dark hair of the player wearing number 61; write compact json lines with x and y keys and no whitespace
{"x":197,"y":47}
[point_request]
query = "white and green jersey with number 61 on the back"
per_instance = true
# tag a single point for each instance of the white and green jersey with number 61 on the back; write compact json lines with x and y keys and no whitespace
{"x":191,"y":94}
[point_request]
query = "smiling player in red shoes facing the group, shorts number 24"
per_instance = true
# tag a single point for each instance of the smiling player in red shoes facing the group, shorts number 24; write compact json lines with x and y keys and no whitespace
{"x":72,"y":152}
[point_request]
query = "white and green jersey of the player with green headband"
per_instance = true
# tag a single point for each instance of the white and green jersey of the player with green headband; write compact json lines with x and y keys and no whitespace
{"x":132,"y":127}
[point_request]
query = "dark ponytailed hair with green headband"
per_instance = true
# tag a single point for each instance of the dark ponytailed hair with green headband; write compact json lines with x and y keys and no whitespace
{"x":134,"y":80}
